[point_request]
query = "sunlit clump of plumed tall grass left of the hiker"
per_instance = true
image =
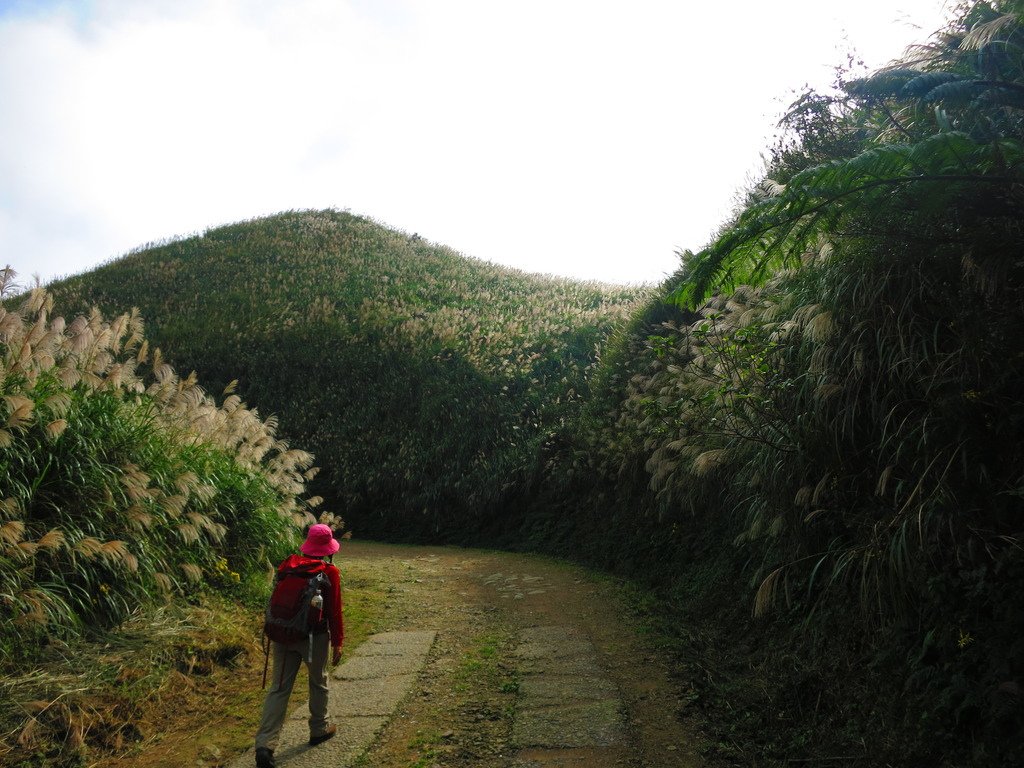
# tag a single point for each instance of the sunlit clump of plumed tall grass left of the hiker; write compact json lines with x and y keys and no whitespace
{"x":122,"y":484}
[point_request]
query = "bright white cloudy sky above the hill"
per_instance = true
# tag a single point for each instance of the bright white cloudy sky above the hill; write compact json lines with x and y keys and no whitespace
{"x":577,"y":138}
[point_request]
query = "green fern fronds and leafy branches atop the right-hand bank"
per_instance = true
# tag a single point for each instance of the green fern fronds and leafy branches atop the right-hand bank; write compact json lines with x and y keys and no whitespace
{"x":930,"y":132}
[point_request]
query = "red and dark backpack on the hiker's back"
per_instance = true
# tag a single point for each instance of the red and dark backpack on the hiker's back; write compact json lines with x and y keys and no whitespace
{"x":296,"y":606}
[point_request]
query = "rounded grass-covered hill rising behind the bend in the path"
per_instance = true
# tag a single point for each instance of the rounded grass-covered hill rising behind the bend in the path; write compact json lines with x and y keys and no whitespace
{"x":422,"y":380}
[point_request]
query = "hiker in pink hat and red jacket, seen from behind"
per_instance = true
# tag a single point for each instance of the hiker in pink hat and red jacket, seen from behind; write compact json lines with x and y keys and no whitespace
{"x":326,"y":630}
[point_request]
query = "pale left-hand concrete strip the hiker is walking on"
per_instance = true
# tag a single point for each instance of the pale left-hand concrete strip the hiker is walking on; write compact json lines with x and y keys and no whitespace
{"x":364,"y":694}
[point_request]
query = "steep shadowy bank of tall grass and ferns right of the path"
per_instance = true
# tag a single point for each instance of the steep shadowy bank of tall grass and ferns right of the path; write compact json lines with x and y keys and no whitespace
{"x":835,"y":389}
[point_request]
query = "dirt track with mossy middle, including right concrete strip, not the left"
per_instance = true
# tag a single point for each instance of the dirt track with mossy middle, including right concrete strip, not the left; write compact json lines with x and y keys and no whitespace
{"x":535,"y":663}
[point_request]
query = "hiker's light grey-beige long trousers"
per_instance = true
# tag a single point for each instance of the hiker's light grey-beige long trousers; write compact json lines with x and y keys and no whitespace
{"x":287,"y":660}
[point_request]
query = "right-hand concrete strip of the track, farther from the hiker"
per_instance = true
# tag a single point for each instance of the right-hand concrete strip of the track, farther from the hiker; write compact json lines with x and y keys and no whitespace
{"x":569,"y":710}
